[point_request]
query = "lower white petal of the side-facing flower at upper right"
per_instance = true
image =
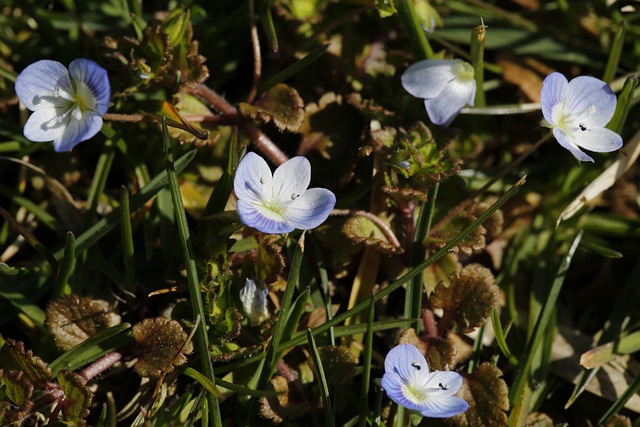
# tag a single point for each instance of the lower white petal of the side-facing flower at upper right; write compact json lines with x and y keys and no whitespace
{"x":446,"y":106}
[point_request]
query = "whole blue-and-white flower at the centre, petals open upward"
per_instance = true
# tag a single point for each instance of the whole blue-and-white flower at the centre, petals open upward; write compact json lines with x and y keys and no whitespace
{"x":281,"y":202}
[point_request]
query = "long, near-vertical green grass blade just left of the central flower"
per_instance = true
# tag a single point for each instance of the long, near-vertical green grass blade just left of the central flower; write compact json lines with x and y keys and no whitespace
{"x":202,"y":339}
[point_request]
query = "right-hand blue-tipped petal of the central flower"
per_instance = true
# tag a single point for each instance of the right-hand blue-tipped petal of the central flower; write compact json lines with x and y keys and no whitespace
{"x":311,"y":208}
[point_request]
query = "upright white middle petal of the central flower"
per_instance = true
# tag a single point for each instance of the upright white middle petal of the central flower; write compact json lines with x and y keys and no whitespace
{"x":291,"y":179}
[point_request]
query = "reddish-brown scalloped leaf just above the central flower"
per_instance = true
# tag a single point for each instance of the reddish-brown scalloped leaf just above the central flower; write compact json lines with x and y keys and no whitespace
{"x":281,"y":104}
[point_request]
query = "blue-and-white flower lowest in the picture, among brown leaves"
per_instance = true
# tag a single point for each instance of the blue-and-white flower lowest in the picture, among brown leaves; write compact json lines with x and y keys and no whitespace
{"x":409,"y":383}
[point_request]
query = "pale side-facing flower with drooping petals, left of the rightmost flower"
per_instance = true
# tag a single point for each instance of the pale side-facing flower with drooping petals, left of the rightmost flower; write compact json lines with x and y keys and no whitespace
{"x":445,"y":85}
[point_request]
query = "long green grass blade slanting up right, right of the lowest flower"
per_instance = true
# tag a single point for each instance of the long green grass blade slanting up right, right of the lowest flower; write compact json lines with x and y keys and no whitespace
{"x":517,"y":387}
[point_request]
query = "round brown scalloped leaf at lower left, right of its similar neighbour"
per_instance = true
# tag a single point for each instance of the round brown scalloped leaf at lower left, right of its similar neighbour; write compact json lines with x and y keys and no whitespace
{"x":161,"y":345}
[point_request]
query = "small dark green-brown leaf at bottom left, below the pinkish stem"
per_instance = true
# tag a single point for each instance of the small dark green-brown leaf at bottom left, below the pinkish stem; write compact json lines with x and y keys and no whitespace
{"x":77,"y":400}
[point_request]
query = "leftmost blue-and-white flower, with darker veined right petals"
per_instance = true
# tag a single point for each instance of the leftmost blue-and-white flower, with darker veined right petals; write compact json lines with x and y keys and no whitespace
{"x":67,"y":105}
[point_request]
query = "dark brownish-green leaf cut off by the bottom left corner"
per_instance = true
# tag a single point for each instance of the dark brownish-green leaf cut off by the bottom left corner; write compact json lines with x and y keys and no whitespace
{"x":15,"y":397}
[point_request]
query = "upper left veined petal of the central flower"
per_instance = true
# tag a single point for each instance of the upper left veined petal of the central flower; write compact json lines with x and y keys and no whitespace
{"x":252,"y":181}
